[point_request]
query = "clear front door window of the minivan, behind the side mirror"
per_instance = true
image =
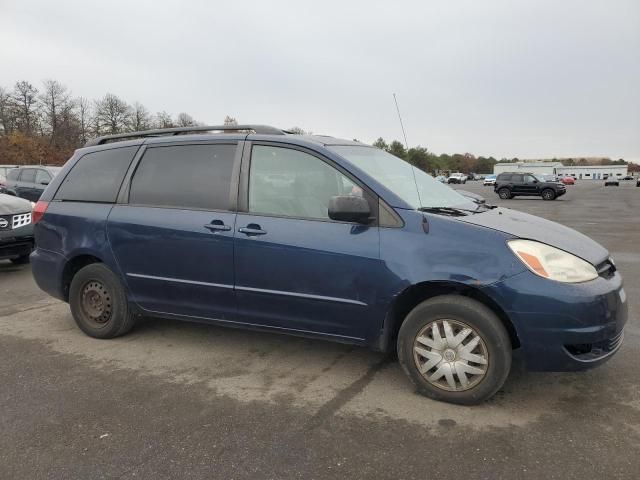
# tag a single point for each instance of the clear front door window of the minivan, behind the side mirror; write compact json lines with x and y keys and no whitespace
{"x":291,"y":183}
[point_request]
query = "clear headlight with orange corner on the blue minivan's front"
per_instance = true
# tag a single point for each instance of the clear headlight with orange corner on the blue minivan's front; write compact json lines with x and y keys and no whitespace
{"x":552,"y":263}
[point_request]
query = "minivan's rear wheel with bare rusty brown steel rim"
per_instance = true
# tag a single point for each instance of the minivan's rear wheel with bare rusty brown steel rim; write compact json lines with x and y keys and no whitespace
{"x":98,"y":302}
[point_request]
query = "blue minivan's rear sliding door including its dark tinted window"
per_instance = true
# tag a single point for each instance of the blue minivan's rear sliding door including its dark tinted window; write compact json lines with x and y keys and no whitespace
{"x":173,"y":240}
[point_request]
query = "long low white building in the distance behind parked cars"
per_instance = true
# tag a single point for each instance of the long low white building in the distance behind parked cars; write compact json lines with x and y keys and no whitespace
{"x":583,"y":172}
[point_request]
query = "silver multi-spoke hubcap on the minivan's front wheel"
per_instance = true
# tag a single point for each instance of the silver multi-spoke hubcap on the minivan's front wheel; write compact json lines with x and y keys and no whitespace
{"x":451,"y":355}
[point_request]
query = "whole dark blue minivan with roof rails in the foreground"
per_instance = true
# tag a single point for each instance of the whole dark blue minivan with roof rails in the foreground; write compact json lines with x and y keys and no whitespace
{"x":253,"y":227}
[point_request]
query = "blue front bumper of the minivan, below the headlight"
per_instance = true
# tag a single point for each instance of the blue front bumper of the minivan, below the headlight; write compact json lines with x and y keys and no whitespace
{"x":564,"y":327}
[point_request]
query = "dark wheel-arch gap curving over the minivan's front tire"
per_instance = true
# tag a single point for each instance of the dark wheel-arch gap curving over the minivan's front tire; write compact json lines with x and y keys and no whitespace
{"x":415,"y":294}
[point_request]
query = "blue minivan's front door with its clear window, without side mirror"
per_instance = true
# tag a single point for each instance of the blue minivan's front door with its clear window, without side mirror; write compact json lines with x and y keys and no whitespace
{"x":296,"y":269}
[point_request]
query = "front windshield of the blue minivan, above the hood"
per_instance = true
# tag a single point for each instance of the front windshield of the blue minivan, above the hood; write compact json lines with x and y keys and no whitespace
{"x":417,"y":188}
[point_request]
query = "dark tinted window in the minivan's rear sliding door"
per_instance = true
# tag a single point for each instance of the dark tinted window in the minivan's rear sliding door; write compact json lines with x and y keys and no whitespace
{"x":184,"y":176}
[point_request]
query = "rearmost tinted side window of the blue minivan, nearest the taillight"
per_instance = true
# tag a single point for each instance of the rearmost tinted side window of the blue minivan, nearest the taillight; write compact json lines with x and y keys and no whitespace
{"x":97,"y":176}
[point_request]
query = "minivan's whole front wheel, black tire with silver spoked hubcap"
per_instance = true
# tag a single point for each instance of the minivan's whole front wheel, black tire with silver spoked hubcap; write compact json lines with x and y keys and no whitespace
{"x":460,"y":313}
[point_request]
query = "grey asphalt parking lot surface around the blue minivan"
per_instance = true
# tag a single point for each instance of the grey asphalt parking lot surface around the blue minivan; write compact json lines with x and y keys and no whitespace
{"x":177,"y":400}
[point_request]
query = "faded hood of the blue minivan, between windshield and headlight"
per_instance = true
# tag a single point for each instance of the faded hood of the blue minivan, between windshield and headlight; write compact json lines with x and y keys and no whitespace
{"x":530,"y":227}
